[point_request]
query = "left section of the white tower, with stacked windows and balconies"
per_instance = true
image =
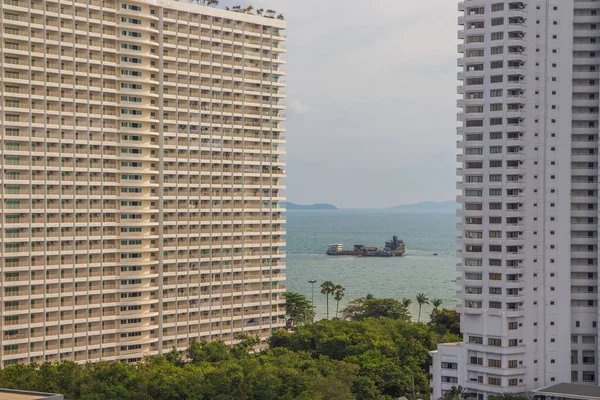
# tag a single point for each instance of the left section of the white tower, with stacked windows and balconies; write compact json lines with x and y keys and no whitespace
{"x":492,"y":184}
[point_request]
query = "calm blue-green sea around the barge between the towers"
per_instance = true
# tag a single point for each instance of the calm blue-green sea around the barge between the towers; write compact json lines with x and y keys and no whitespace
{"x":310,"y":232}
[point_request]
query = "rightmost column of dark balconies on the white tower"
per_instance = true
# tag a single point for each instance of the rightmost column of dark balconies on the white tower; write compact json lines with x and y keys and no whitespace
{"x":584,"y":194}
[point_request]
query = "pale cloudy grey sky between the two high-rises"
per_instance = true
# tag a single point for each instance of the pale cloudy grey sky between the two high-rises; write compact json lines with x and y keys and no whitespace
{"x":371,"y":118}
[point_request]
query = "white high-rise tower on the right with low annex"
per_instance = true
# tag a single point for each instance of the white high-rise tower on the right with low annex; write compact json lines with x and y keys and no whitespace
{"x":528,"y":181}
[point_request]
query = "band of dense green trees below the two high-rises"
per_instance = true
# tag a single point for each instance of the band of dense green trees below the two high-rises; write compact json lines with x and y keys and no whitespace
{"x":377,"y":355}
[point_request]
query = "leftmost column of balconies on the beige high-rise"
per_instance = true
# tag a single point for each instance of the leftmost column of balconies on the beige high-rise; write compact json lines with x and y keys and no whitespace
{"x":16,"y":156}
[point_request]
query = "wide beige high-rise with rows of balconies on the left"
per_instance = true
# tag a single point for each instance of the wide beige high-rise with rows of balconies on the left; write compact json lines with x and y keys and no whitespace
{"x":142,"y":161}
